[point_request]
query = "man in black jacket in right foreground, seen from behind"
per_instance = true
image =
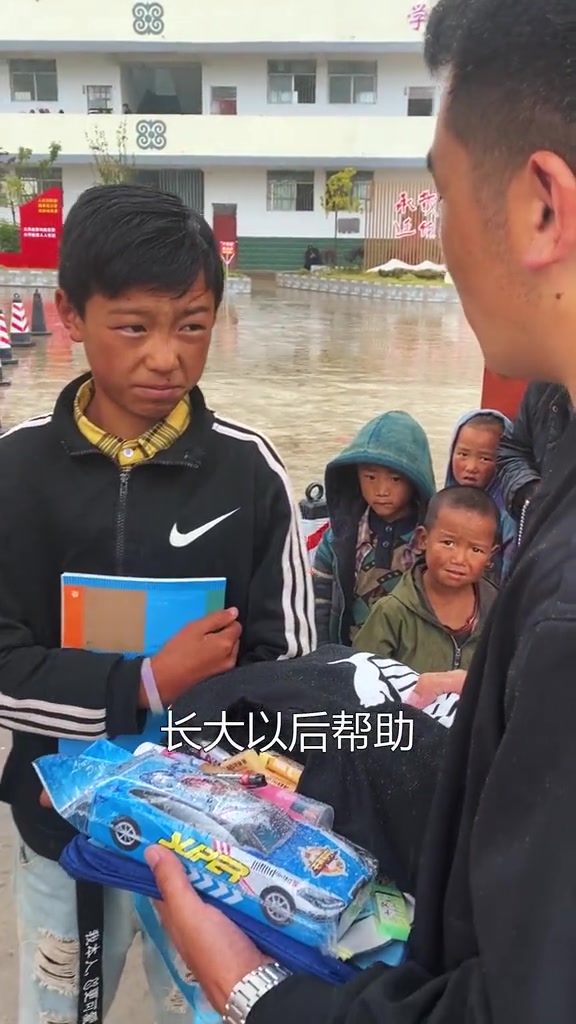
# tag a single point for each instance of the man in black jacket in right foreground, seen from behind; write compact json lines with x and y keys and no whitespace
{"x":495,"y":938}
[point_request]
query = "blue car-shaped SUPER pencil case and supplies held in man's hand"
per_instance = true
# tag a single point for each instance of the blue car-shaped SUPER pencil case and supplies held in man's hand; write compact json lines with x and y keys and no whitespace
{"x":298,"y":889}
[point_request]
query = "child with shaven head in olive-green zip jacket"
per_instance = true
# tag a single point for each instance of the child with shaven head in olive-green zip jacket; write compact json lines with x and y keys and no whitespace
{"x":435,"y":617}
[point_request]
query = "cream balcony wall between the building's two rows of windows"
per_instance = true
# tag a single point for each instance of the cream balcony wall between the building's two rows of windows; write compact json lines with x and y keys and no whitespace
{"x":203,"y":141}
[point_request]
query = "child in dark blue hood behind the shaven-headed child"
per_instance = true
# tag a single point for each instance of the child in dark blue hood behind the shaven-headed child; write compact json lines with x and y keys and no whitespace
{"x":473,"y":464}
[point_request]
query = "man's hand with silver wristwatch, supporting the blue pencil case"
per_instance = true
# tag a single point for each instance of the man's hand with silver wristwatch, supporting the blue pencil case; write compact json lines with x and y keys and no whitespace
{"x":217,"y":953}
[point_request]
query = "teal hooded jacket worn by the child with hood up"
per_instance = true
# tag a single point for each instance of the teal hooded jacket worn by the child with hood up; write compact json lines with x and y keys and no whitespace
{"x":397,"y":442}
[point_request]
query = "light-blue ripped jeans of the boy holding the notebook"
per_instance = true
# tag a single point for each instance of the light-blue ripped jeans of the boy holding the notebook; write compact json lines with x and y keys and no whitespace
{"x":46,"y":900}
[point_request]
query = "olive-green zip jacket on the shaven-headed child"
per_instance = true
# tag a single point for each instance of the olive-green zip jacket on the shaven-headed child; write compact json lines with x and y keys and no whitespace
{"x":403,"y":627}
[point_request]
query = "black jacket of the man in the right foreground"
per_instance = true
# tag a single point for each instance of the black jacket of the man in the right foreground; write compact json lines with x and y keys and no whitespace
{"x":495,"y":937}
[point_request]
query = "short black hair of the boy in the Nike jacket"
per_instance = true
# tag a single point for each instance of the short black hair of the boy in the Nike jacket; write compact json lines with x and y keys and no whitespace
{"x":117,"y":238}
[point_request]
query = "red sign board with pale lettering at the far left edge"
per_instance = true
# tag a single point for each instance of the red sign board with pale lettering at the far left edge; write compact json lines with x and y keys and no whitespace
{"x":42,"y":224}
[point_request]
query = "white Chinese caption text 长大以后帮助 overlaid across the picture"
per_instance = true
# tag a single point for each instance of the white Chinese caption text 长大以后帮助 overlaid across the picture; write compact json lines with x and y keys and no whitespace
{"x":310,"y":732}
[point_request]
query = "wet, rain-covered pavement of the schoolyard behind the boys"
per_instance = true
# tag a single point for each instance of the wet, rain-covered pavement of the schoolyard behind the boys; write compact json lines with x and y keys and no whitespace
{"x":307,"y":369}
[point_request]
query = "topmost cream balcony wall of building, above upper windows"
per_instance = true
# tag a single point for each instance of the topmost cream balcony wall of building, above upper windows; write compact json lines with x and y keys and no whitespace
{"x":239,"y":26}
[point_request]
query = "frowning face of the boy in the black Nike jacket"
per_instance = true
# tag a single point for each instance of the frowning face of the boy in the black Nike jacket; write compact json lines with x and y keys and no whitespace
{"x":146,"y":351}
